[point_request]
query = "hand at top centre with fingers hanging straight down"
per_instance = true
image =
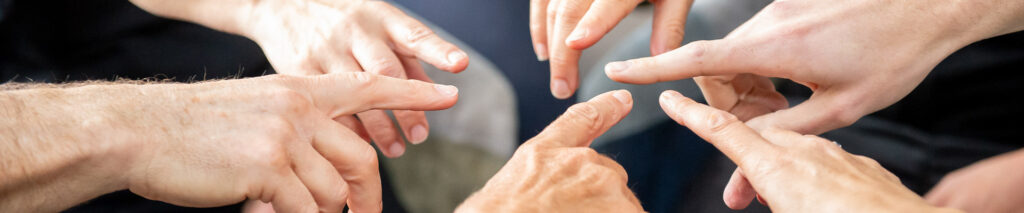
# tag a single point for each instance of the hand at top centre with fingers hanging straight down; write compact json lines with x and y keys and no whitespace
{"x":563,"y":28}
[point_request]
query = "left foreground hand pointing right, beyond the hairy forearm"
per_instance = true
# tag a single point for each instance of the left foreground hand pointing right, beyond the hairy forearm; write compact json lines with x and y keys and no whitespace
{"x":269,"y":139}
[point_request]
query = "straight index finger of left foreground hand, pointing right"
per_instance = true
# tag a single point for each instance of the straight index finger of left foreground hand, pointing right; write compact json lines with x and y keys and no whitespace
{"x":348,"y":94}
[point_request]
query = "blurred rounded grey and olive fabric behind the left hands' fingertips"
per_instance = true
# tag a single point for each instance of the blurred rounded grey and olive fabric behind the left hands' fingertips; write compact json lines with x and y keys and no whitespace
{"x":468,"y":143}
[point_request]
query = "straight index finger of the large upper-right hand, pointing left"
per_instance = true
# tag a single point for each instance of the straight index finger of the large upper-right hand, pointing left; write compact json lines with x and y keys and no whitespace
{"x":697,"y":59}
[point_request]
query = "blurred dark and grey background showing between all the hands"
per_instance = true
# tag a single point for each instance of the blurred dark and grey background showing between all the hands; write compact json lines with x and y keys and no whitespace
{"x":506,"y":98}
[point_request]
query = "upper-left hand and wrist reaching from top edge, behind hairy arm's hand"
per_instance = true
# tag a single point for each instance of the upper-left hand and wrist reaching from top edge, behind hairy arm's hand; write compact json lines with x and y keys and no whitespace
{"x":315,"y":37}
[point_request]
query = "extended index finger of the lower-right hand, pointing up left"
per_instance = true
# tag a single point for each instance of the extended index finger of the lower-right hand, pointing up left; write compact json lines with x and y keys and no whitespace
{"x":723,"y":131}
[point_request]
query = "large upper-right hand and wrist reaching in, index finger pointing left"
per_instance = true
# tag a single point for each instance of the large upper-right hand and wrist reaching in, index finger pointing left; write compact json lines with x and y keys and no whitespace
{"x":858,"y":57}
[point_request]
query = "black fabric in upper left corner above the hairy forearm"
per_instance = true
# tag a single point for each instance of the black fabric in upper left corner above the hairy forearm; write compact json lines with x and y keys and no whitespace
{"x":60,"y":40}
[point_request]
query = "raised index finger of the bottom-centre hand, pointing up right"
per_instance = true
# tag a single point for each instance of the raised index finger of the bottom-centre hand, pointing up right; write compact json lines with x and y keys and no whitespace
{"x":585,"y":121}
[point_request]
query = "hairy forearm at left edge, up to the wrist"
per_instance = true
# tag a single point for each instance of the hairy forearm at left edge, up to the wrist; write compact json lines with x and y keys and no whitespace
{"x":58,"y":147}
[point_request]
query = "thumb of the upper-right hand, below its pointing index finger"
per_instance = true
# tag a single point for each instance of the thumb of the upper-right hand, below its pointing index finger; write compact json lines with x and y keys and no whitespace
{"x":827,"y":110}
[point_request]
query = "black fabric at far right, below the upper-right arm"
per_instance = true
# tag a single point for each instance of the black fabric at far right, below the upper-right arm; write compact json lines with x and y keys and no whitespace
{"x":968,"y":109}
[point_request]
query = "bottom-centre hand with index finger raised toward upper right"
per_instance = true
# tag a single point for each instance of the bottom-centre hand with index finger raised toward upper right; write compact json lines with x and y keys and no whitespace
{"x":558,"y":173}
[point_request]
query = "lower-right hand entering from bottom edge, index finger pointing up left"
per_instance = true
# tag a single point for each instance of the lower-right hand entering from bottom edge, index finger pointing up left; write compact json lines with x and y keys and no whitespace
{"x":794,"y":173}
